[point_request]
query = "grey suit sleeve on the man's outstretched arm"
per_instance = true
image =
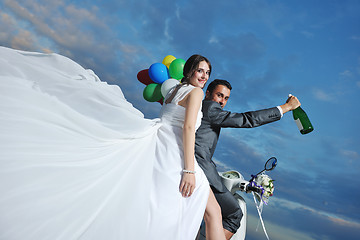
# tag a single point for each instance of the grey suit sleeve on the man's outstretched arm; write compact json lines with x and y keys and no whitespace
{"x":222,"y":118}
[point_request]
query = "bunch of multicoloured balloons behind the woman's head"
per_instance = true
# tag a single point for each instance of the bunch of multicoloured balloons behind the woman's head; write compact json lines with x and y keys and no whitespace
{"x":161,"y":77}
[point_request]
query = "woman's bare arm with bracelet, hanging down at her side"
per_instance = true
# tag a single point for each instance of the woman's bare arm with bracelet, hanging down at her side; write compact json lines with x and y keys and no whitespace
{"x":192,"y":104}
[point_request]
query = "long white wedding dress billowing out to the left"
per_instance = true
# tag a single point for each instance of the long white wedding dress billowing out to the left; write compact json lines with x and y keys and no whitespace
{"x":77,"y":161}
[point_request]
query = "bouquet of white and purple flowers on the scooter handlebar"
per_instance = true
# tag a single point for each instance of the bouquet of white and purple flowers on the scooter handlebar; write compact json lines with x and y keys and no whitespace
{"x":265,"y":183}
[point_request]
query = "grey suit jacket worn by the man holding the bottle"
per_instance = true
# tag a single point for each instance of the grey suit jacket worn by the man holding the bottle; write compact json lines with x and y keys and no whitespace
{"x":215,"y":118}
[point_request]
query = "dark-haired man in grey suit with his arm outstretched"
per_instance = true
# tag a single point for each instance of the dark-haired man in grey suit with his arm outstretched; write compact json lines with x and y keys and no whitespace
{"x":215,"y":118}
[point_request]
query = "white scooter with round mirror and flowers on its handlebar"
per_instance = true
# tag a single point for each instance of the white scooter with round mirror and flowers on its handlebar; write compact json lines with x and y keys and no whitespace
{"x":260,"y":185}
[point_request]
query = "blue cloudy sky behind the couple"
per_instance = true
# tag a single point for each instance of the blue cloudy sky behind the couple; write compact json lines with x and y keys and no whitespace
{"x":266,"y":49}
